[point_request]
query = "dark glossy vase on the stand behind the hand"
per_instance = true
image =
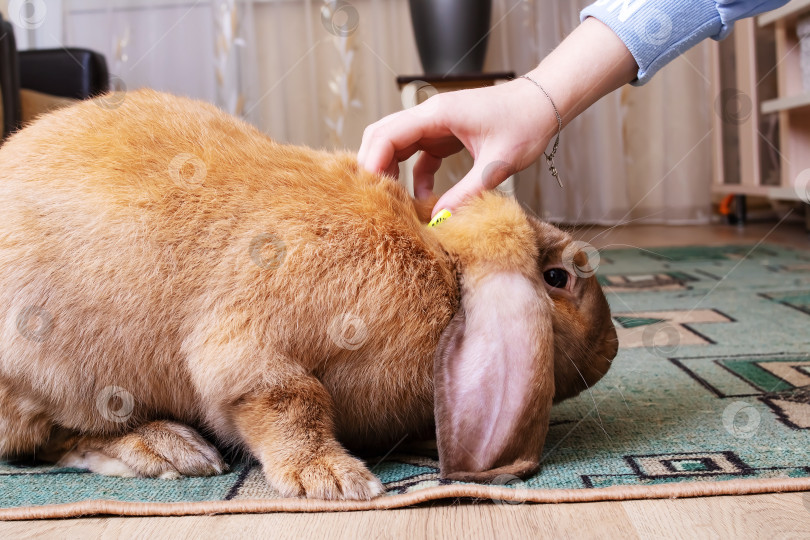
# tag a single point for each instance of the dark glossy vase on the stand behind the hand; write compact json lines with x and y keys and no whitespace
{"x":451,"y":35}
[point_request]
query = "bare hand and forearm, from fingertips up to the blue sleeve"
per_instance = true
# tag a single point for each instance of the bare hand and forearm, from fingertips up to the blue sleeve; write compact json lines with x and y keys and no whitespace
{"x":505,"y":127}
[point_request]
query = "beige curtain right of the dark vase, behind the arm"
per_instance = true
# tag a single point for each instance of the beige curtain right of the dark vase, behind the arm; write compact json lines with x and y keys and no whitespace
{"x":641,"y":154}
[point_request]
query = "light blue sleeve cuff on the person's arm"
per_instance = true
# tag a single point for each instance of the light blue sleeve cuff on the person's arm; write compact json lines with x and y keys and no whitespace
{"x":657,"y":31}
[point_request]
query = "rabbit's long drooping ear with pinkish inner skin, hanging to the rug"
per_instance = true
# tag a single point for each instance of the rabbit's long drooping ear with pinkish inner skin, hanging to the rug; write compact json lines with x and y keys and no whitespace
{"x":494,"y":378}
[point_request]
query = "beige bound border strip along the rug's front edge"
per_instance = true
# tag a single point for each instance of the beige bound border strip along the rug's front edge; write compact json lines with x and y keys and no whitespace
{"x":508,"y":495}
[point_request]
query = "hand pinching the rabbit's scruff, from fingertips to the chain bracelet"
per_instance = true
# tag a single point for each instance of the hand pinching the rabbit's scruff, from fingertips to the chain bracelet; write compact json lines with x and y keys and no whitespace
{"x":505,"y":128}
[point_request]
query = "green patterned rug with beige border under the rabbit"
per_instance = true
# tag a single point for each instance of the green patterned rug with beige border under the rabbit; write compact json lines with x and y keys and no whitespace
{"x":709,"y":394}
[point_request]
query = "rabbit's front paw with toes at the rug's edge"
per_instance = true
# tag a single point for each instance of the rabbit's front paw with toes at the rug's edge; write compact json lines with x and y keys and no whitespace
{"x":331,"y":476}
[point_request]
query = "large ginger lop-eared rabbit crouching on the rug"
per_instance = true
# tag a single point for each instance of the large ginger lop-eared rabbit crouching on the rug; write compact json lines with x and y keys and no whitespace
{"x":164,"y":265}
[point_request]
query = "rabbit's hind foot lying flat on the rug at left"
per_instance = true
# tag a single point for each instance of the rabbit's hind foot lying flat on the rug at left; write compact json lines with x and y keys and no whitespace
{"x":160,"y":449}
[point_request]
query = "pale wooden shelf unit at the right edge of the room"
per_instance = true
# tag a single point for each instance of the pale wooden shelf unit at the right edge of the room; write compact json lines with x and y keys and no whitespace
{"x":762,"y":152}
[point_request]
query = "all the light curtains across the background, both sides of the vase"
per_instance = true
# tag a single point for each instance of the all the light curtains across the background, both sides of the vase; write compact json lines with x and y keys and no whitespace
{"x":316,"y":73}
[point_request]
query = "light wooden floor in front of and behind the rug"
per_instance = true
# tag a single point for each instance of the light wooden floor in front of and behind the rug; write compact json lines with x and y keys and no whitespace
{"x":785,"y":515}
